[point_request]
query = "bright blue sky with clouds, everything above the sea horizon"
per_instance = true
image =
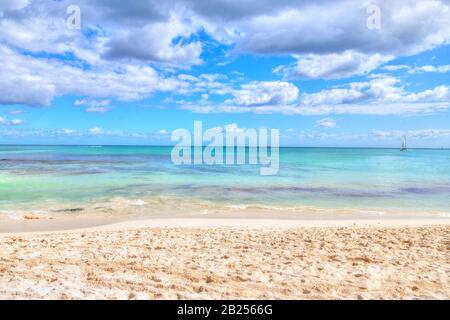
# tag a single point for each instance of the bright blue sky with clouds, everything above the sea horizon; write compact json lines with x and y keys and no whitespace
{"x":329,"y":73}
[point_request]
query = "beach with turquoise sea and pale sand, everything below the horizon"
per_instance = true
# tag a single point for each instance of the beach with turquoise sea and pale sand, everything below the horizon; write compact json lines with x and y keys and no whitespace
{"x":124,"y":222}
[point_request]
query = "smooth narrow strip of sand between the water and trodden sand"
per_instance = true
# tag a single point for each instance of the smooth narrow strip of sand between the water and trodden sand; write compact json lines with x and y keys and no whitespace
{"x":13,"y":227}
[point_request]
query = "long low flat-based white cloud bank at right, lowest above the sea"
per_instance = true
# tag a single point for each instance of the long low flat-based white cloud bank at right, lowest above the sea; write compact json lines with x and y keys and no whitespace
{"x":380,"y":95}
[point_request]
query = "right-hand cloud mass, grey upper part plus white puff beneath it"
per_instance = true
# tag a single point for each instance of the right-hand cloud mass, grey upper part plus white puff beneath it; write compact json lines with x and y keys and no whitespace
{"x":331,"y":40}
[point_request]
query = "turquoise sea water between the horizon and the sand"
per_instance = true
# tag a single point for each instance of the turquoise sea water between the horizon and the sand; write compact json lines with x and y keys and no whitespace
{"x":362,"y":179}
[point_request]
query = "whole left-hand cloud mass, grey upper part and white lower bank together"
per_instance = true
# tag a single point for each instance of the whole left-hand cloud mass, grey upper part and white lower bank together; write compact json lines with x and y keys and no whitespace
{"x":89,"y":62}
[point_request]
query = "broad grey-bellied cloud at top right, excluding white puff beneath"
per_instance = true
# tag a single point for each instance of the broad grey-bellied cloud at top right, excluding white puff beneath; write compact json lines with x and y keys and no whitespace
{"x":336,"y":26}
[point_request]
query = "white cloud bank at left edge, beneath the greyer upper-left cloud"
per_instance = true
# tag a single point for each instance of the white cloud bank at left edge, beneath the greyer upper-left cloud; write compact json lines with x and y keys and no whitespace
{"x":32,"y":81}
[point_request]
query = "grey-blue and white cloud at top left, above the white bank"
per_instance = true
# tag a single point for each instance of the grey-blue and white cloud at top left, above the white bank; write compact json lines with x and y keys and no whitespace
{"x":144,"y":31}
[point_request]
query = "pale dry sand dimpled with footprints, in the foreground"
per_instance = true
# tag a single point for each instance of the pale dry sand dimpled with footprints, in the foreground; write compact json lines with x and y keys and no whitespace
{"x":230,"y":259}
